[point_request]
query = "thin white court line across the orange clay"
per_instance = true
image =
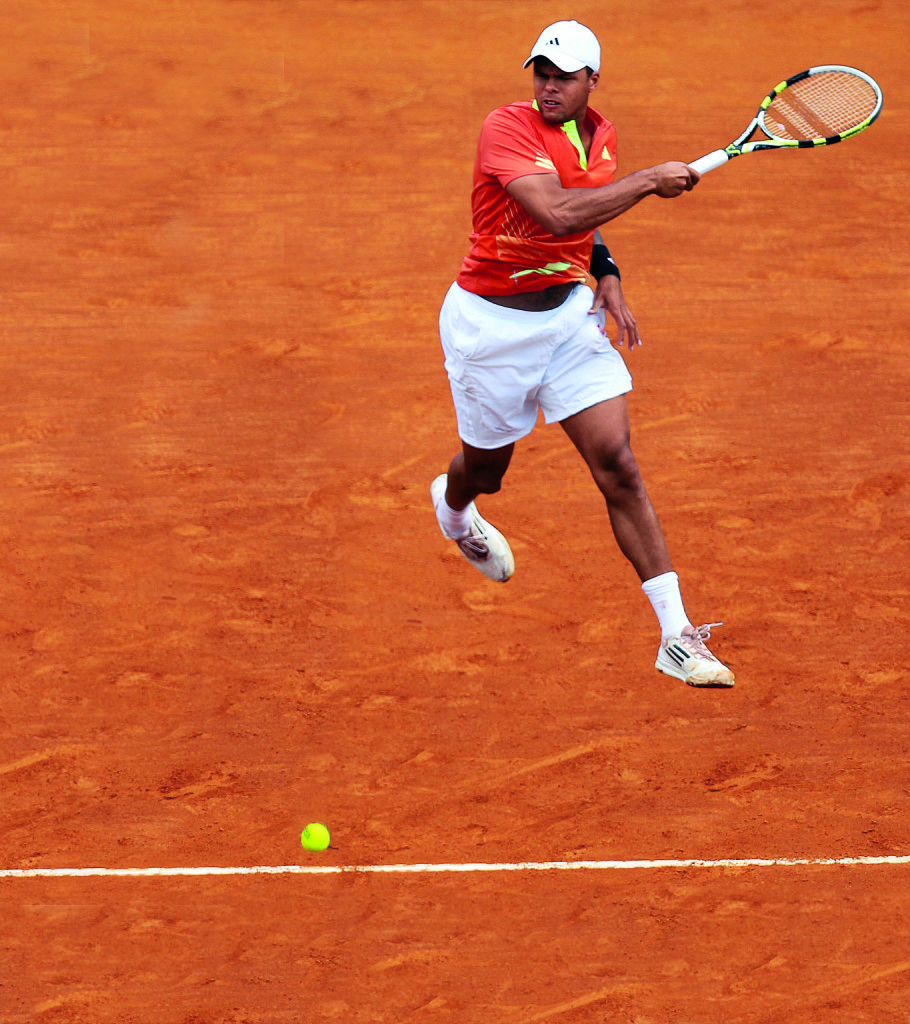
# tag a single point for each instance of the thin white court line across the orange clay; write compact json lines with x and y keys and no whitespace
{"x":553,"y":866}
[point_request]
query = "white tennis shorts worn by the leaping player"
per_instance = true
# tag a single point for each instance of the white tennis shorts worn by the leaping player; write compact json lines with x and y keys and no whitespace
{"x":505,"y":365}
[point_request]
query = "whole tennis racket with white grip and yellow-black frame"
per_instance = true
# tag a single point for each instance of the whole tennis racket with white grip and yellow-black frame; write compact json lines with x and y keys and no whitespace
{"x":818,"y":107}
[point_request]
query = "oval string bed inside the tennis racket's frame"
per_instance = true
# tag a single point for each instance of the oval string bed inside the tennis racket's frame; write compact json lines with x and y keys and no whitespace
{"x":820,"y":107}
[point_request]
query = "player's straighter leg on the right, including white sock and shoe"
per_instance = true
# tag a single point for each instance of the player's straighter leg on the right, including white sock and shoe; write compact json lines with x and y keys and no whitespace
{"x":601,"y":434}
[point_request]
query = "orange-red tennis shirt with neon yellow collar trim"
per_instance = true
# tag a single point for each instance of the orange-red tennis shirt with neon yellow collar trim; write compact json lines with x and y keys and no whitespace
{"x":510,"y":251}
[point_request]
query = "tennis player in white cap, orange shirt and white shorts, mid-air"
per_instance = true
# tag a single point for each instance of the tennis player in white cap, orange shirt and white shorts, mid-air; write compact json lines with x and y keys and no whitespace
{"x":524,"y":327}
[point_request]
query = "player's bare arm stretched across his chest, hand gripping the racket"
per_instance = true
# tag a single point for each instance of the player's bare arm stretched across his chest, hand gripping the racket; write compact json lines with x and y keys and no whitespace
{"x":569,"y":211}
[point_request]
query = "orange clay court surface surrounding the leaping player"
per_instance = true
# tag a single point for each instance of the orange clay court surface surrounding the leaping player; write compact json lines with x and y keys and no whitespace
{"x":226,"y":231}
